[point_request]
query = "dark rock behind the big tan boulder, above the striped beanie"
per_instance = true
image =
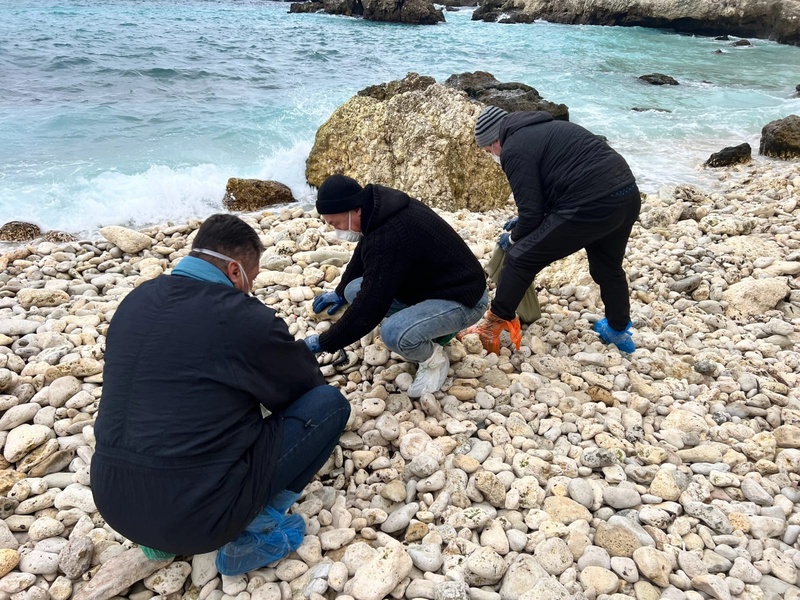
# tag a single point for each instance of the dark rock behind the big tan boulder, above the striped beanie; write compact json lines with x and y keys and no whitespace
{"x":510,"y":96}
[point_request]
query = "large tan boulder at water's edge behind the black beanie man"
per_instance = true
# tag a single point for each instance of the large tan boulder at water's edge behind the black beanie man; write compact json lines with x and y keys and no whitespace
{"x":416,"y":135}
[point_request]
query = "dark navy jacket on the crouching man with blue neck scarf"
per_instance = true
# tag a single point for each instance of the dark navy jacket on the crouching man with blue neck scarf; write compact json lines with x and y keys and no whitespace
{"x":184,"y":459}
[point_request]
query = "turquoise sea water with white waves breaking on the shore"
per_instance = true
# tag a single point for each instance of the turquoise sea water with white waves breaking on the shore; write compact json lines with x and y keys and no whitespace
{"x":137,"y":111}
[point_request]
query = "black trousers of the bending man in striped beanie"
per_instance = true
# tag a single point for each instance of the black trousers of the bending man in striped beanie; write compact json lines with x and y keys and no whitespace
{"x":603,"y":238}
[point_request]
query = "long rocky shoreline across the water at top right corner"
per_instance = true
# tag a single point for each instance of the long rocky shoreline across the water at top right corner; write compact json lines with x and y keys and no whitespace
{"x":777,"y":20}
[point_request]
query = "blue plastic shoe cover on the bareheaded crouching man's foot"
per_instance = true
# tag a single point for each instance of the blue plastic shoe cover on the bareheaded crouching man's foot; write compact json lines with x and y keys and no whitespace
{"x":253,"y":549}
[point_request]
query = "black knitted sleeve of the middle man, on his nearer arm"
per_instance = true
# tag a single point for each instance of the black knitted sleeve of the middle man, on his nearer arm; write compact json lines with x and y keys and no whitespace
{"x":381,"y":281}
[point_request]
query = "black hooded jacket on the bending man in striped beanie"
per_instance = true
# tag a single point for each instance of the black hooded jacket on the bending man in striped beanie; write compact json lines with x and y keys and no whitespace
{"x":557,"y":167}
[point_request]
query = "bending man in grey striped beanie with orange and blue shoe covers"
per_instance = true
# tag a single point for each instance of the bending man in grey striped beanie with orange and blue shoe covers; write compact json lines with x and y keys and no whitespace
{"x":572,"y":191}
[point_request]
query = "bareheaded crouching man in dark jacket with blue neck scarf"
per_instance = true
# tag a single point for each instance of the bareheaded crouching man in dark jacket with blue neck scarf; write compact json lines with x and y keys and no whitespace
{"x":185,"y":463}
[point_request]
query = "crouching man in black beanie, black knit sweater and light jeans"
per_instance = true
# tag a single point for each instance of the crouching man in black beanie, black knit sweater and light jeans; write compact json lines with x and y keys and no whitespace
{"x":410,"y":266}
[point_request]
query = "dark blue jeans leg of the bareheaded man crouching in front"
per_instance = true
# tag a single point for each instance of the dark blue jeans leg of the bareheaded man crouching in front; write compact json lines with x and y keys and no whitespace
{"x":311,"y":429}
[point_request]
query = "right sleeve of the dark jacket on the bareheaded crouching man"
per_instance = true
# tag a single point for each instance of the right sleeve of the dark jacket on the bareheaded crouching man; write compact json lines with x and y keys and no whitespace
{"x":269,"y":363}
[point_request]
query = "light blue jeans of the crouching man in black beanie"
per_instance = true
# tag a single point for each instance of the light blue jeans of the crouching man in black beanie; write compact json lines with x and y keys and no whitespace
{"x":410,"y":330}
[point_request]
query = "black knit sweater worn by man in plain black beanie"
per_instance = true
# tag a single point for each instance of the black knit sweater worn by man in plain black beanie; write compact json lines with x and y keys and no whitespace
{"x":408,"y":253}
